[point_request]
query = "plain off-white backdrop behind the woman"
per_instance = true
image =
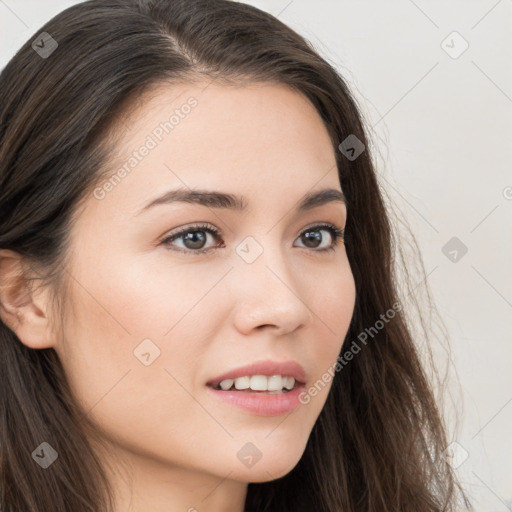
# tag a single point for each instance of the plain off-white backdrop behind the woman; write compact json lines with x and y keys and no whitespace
{"x":434,"y":80}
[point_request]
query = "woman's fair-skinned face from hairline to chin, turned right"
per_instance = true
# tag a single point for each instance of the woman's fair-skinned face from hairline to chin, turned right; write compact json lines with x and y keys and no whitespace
{"x":149,"y":326}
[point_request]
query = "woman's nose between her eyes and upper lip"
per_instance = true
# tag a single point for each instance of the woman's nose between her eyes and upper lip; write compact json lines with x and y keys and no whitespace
{"x":269,"y":295}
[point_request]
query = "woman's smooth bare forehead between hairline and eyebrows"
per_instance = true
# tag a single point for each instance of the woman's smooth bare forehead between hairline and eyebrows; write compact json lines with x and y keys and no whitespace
{"x":259,"y":140}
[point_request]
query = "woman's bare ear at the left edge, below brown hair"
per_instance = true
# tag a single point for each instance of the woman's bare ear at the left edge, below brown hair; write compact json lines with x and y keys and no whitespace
{"x":23,"y":309}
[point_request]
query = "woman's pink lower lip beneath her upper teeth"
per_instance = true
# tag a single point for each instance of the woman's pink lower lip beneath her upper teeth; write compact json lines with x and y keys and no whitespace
{"x":261,"y":403}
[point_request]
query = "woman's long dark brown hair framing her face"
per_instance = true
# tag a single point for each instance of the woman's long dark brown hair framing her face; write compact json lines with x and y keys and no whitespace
{"x":378,"y":443}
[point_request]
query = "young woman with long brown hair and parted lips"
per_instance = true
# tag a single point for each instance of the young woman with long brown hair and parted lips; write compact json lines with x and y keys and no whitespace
{"x":198,"y":304}
